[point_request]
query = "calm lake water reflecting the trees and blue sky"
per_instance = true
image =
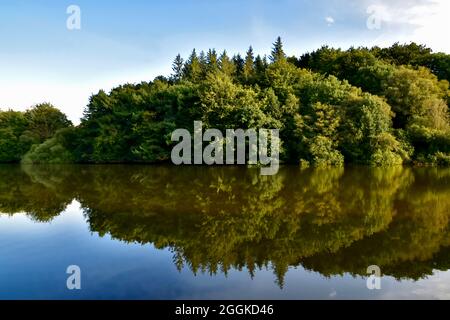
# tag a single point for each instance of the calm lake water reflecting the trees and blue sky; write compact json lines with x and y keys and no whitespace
{"x":159,"y":232}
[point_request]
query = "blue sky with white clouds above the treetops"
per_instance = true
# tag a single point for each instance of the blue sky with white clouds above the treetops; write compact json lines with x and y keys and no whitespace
{"x":131,"y":41}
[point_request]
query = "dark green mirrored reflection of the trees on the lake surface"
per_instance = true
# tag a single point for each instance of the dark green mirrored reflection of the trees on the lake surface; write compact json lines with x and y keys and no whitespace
{"x":333,"y":221}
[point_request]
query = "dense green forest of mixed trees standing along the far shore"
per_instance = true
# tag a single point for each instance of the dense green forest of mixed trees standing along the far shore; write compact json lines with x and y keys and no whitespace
{"x":373,"y":106}
